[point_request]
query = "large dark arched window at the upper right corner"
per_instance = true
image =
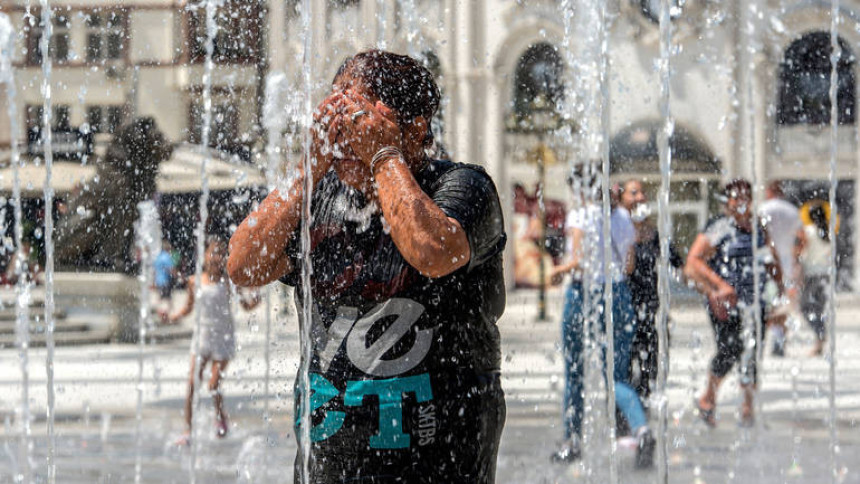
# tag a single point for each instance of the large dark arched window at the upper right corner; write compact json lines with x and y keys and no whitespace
{"x":804,"y":92}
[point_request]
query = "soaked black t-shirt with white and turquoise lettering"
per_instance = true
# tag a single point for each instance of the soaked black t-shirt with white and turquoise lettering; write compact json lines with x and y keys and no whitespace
{"x":404,"y":373}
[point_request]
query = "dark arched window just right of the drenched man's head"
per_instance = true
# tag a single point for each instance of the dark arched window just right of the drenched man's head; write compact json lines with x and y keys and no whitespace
{"x":538,"y":80}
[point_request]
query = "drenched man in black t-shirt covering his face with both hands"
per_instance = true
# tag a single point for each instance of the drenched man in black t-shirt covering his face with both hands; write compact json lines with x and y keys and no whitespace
{"x":407,"y":286}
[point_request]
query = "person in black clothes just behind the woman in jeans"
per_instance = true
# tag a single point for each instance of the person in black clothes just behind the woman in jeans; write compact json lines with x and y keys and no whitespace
{"x":643,"y":287}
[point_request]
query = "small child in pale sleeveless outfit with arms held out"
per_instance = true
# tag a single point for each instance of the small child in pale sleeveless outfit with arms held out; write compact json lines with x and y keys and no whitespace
{"x":215,"y":337}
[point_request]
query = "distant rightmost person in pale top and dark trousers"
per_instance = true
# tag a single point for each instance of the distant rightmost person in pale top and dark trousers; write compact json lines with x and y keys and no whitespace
{"x":814,"y":254}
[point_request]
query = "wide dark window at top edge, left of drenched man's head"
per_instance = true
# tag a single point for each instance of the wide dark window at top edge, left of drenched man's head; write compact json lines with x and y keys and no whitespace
{"x":238,"y":38}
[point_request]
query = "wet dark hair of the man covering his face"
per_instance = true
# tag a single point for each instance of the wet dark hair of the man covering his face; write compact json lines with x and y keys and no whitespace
{"x":400,"y":82}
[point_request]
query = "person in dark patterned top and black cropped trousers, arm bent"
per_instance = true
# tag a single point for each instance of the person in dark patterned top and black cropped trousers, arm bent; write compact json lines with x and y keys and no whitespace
{"x":721,"y":264}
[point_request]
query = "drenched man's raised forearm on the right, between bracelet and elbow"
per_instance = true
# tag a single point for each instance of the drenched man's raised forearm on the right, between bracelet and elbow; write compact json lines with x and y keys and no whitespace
{"x":428,"y":239}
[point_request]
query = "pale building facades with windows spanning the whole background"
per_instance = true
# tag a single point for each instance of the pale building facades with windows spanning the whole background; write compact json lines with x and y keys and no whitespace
{"x":749,"y":85}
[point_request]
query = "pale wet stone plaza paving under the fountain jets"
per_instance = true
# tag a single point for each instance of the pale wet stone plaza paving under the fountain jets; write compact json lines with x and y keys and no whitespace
{"x":96,"y":401}
